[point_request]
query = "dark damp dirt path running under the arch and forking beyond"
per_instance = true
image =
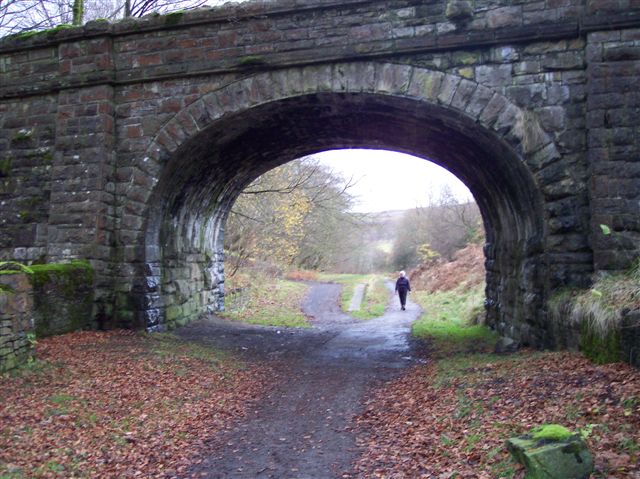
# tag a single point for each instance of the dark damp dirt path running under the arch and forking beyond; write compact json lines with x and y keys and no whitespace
{"x":302,"y":429}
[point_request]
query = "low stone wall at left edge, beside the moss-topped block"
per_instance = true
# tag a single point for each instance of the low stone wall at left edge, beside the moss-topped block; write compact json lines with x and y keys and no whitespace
{"x":16,"y":321}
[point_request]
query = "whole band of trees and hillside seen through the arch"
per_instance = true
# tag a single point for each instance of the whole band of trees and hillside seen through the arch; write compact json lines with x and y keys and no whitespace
{"x":298,"y":216}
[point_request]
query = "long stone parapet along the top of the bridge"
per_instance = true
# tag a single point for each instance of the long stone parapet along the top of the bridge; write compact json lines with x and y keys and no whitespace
{"x":280,"y":34}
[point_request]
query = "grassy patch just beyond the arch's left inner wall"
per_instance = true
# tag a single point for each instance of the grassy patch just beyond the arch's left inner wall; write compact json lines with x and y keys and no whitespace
{"x":269,"y":302}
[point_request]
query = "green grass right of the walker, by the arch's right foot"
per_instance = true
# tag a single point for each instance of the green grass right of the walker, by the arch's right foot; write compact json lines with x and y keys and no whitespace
{"x":447,"y":321}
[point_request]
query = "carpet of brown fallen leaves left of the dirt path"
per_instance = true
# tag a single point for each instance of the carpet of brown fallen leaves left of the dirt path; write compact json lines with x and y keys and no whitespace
{"x":119,"y":404}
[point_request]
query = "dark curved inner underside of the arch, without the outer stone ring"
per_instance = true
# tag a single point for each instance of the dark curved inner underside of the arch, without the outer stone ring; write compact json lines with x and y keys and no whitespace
{"x":204,"y":176}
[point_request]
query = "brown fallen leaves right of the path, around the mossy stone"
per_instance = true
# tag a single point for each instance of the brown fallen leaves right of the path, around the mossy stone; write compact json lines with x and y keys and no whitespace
{"x":451,"y":418}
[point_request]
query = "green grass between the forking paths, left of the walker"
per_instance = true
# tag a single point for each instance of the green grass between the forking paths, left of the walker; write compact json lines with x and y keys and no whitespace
{"x":376,"y":295}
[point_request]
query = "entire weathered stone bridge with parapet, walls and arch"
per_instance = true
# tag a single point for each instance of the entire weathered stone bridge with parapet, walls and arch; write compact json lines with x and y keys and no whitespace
{"x":127,"y":144}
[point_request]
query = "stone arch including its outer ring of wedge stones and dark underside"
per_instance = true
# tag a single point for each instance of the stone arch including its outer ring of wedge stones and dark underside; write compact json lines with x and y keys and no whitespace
{"x":211,"y":149}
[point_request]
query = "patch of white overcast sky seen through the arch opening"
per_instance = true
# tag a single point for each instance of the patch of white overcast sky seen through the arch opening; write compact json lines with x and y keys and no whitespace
{"x":388,"y":180}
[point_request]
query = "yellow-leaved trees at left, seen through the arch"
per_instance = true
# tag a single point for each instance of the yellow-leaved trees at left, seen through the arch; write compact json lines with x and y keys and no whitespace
{"x":296,"y":216}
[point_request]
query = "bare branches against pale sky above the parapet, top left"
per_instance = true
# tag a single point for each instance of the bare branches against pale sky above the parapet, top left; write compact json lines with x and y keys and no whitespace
{"x":18,"y":16}
